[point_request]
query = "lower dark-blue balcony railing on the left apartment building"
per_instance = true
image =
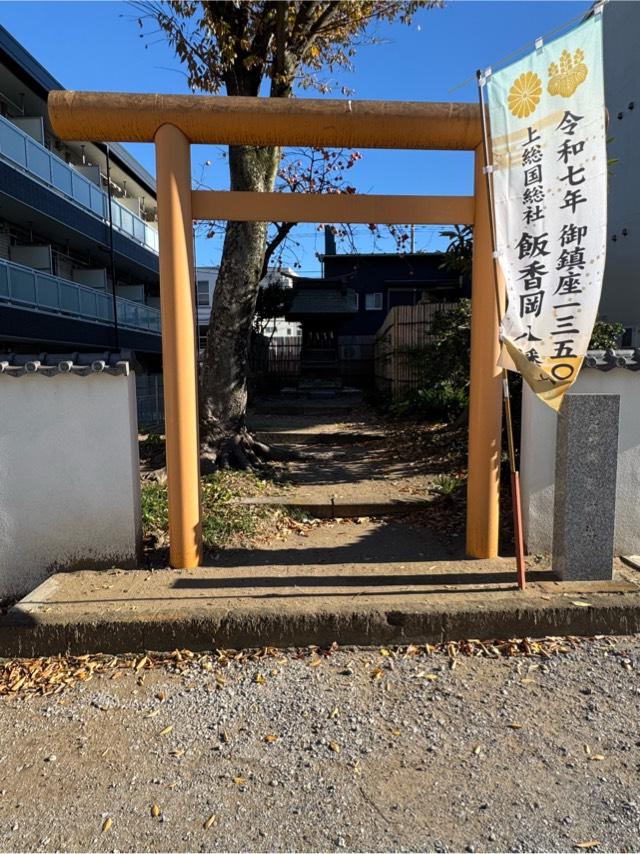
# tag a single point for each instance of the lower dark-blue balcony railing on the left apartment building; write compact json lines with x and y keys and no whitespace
{"x":36,"y":291}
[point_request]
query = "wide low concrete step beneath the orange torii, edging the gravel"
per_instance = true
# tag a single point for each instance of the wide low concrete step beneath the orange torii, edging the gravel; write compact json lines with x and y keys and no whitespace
{"x":292,"y":606}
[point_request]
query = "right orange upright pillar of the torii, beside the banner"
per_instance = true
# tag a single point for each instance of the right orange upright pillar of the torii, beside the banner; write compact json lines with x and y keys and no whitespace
{"x":485,"y":403}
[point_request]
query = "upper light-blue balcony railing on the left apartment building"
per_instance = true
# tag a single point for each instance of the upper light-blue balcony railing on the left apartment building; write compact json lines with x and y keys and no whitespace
{"x":25,"y":153}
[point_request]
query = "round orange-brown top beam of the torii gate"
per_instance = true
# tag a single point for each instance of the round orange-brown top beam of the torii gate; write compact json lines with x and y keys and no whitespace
{"x":125,"y":117}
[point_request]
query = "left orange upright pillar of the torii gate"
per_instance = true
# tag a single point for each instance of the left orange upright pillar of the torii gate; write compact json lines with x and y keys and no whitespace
{"x":178,"y":313}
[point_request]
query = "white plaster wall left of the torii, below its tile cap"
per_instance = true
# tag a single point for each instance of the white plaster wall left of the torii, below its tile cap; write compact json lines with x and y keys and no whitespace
{"x":69,"y":479}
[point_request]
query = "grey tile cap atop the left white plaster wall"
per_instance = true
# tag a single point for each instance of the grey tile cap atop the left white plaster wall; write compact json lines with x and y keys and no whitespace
{"x":78,"y":364}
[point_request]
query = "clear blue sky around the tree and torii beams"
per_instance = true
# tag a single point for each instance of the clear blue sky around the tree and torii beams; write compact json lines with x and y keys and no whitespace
{"x":97,"y":46}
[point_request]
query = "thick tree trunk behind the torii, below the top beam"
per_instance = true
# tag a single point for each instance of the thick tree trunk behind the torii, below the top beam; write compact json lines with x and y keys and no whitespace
{"x":223,"y":388}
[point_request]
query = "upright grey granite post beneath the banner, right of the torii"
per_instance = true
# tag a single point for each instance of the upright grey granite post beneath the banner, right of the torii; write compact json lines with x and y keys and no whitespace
{"x":585,"y":489}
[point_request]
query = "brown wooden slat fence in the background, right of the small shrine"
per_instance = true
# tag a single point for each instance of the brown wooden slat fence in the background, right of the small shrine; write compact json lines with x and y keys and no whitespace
{"x":405,"y":329}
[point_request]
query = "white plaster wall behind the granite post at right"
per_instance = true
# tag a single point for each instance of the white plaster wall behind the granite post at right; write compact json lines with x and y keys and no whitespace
{"x":538,"y":455}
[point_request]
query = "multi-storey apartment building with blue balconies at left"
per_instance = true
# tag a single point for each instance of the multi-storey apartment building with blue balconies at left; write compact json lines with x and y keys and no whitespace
{"x":75,"y":220}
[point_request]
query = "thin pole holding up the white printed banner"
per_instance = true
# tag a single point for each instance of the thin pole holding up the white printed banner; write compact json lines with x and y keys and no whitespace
{"x":506,"y":396}
